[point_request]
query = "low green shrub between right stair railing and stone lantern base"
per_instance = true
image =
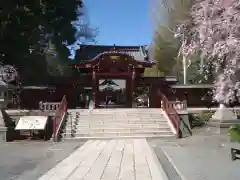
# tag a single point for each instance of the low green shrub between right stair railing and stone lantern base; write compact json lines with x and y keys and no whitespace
{"x":199,"y":119}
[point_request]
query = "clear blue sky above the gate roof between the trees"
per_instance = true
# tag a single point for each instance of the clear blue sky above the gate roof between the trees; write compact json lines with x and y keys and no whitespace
{"x":120,"y":22}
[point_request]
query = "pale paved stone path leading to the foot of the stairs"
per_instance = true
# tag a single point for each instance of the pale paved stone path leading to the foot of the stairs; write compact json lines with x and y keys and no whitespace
{"x":129,"y":159}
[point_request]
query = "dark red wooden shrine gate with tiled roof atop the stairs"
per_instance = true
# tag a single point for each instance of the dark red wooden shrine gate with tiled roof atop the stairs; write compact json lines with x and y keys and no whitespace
{"x":101,"y":64}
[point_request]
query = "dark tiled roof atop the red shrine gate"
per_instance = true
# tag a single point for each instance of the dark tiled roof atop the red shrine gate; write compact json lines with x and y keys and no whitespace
{"x":89,"y":52}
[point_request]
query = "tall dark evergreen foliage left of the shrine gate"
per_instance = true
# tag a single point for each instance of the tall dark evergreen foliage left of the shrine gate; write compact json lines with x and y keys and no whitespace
{"x":26,"y":29}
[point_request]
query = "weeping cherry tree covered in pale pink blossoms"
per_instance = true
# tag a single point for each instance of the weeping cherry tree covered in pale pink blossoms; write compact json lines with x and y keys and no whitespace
{"x":214,"y":31}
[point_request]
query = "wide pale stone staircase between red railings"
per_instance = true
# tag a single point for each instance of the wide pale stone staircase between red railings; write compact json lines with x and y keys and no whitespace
{"x":116,"y":123}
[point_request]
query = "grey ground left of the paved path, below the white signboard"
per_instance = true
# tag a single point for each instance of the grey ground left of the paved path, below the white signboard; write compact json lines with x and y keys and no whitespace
{"x":28,"y":160}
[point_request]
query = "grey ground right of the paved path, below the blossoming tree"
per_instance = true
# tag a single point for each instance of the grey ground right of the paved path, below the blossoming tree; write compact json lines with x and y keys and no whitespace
{"x":204,"y":156}
